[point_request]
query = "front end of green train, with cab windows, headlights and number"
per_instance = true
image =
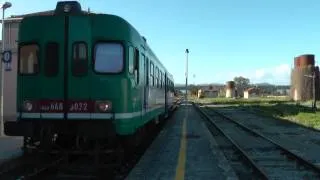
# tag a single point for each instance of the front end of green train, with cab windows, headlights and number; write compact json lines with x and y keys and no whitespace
{"x":70,"y":82}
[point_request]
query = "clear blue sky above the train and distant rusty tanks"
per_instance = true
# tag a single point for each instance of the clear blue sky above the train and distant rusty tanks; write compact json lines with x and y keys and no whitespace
{"x":226,"y":38}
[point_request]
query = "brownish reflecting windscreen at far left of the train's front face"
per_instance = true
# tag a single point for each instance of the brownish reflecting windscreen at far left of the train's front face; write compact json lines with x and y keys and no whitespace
{"x":28,"y":59}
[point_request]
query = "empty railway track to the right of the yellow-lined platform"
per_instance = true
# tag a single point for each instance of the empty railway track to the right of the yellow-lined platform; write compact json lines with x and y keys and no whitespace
{"x":254,"y":156}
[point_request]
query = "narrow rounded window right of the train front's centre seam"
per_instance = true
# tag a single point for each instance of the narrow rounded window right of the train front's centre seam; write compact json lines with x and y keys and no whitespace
{"x":79,"y":59}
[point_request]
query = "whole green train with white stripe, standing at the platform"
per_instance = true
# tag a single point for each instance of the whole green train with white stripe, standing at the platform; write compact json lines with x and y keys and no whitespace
{"x":86,"y":76}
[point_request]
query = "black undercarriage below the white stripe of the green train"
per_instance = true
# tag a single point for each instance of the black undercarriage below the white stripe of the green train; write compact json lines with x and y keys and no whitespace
{"x":77,"y":137}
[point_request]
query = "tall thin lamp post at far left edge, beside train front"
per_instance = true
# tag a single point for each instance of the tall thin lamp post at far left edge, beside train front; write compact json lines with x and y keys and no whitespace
{"x":4,"y":6}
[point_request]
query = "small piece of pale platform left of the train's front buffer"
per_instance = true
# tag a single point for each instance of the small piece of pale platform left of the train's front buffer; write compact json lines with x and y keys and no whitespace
{"x":10,"y":147}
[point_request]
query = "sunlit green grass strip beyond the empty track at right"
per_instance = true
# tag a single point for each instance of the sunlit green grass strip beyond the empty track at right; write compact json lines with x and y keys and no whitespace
{"x":278,"y":107}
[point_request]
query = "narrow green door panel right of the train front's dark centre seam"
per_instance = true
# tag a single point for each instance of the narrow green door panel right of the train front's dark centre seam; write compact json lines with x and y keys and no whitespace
{"x":77,"y":74}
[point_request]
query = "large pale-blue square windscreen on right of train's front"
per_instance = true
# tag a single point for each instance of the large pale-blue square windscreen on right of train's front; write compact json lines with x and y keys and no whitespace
{"x":108,"y":58}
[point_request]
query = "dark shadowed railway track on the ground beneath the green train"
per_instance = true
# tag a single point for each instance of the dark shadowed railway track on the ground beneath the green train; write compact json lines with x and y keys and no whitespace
{"x":63,"y":166}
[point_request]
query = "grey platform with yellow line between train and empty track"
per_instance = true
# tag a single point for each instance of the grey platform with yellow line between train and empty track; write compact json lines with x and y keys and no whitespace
{"x":184,"y":149}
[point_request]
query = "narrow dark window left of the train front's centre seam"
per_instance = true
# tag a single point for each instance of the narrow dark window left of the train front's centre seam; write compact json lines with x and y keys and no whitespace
{"x":51,"y":64}
